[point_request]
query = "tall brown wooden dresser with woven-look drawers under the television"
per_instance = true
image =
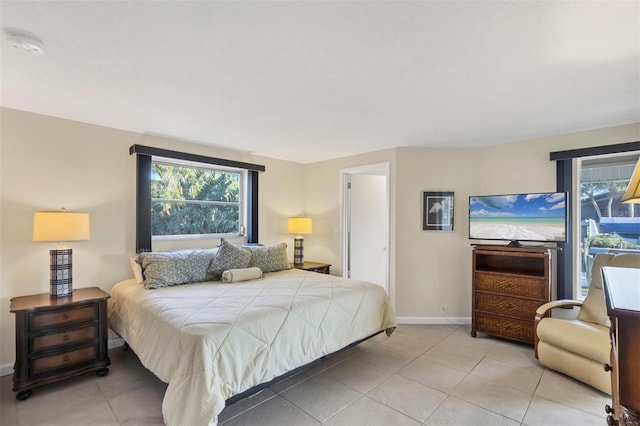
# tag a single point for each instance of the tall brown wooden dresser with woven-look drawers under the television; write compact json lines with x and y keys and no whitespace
{"x":509,"y":284}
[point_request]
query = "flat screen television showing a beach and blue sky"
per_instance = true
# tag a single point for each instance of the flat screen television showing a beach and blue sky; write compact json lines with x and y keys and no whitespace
{"x":537,"y":217}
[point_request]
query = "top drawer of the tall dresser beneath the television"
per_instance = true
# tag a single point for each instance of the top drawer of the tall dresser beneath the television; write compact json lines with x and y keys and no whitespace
{"x":514,"y":285}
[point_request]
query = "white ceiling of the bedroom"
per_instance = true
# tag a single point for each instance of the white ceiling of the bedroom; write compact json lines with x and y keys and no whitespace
{"x":312,"y":80}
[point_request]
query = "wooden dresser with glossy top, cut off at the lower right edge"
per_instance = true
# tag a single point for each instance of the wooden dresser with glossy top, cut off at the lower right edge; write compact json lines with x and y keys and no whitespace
{"x":622,"y":293}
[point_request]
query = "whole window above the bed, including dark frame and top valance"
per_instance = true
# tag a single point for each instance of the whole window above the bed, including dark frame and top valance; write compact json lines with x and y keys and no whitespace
{"x":180,"y":195}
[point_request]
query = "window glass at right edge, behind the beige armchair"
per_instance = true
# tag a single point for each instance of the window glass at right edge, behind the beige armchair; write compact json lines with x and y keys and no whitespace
{"x":606,"y":224}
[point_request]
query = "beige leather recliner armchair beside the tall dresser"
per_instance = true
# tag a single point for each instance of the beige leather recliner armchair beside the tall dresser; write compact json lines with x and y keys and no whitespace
{"x":581,"y":346}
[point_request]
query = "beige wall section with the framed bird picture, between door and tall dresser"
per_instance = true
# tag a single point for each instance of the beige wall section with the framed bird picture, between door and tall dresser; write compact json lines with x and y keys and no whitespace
{"x":432,"y":271}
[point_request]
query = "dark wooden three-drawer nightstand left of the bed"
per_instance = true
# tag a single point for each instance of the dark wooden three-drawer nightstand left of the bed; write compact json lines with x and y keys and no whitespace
{"x":59,"y":337}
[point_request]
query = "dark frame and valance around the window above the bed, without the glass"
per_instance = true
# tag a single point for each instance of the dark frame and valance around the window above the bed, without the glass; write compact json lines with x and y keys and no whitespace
{"x":144,"y":158}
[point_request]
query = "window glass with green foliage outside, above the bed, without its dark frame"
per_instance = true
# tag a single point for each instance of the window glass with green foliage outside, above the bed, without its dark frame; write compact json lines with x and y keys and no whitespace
{"x":190,"y":200}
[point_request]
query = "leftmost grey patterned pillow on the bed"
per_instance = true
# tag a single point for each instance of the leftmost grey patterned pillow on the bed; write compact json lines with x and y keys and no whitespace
{"x":163,"y":269}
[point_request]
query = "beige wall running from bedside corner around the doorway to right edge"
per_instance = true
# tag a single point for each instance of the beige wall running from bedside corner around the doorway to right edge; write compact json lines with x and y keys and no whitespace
{"x":430,"y":272}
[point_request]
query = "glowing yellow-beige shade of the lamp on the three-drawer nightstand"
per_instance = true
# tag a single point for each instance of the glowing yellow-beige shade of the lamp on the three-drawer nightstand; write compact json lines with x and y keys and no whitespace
{"x":60,"y":226}
